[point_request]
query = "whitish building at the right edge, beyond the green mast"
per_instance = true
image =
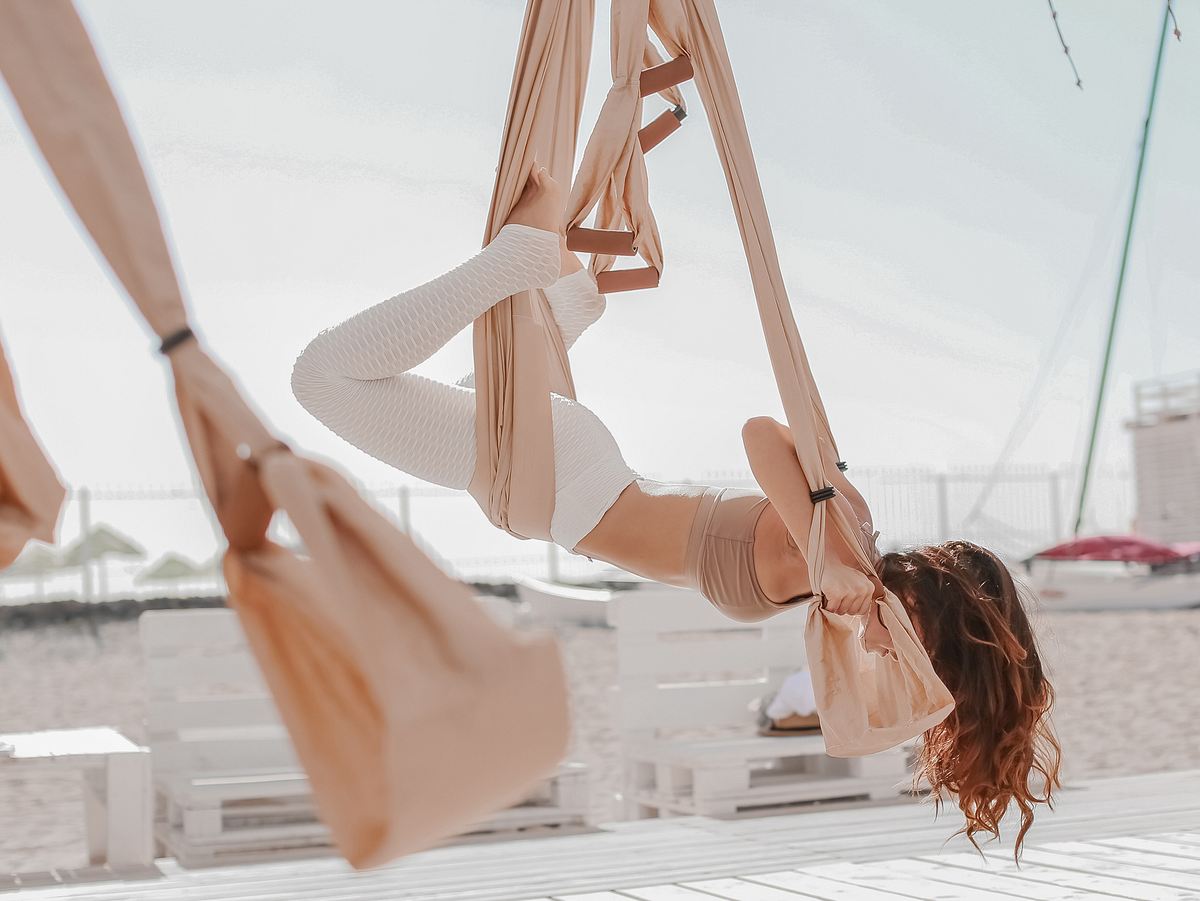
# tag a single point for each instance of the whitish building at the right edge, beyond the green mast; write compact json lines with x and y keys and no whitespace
{"x":1167,"y":458}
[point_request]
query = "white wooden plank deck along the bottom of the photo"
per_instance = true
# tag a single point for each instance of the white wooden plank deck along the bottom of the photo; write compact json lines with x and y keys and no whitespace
{"x":1135,"y":838}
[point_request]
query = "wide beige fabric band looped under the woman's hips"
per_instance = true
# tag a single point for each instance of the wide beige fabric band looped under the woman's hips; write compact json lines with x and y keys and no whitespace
{"x":519,"y":356}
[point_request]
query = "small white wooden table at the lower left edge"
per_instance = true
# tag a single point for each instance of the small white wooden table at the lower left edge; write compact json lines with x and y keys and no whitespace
{"x":118,"y":800}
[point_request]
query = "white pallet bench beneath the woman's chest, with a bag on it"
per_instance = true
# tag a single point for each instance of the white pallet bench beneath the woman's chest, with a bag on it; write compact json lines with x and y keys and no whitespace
{"x":687,"y":678}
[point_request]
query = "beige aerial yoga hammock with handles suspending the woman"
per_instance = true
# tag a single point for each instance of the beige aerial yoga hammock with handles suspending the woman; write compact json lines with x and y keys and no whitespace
{"x":868,"y":700}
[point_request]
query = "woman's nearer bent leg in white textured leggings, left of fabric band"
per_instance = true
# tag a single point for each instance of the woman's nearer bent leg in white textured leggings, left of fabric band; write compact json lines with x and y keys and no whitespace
{"x":355,"y":377}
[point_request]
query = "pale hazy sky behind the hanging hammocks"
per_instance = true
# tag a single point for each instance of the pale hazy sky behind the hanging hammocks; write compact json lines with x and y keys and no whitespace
{"x":940,"y":193}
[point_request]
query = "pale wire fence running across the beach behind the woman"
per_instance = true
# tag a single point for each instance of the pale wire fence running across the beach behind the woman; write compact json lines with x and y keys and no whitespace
{"x":1028,"y":508}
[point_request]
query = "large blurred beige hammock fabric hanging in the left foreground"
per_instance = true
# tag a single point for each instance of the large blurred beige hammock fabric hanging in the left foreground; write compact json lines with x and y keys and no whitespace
{"x":387,"y":675}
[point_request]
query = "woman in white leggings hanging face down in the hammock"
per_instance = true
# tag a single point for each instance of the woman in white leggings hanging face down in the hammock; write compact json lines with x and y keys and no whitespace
{"x":729,"y":544}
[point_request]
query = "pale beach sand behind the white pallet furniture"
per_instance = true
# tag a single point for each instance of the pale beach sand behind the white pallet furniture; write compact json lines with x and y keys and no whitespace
{"x":1126,"y":683}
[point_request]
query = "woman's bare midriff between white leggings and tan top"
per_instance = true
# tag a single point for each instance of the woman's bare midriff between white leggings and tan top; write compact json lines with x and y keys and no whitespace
{"x":646,"y":531}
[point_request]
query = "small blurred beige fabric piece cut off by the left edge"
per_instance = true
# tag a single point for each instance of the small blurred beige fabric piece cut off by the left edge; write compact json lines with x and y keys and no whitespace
{"x":31,"y":492}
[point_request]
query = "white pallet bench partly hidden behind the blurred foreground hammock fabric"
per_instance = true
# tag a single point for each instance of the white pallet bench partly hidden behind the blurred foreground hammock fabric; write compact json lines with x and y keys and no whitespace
{"x":230,"y":786}
